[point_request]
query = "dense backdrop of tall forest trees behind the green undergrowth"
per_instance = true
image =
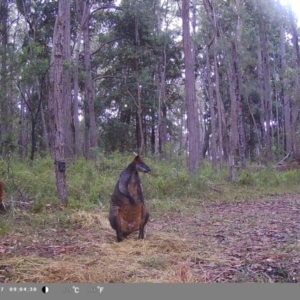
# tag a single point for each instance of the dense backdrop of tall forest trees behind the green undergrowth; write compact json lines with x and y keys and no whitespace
{"x":209,"y":79}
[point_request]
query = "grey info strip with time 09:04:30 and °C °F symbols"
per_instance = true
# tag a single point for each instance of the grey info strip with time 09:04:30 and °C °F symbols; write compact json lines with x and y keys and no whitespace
{"x":148,"y":291}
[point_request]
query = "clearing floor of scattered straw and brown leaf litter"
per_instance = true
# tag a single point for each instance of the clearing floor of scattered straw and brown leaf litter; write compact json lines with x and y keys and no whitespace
{"x":252,"y":241}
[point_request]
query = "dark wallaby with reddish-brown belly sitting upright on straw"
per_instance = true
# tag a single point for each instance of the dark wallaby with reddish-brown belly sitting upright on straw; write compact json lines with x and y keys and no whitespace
{"x":128,"y":211}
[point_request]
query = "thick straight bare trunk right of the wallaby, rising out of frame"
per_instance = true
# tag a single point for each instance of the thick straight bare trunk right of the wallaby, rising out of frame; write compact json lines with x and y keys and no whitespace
{"x":190,"y":95}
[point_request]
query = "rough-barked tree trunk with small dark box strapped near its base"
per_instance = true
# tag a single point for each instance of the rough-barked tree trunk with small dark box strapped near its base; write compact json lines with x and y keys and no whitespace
{"x":56,"y":105}
